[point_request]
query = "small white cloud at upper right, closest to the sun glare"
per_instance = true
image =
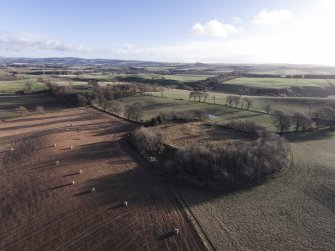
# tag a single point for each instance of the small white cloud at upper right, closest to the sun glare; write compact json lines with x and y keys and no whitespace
{"x":273,"y":17}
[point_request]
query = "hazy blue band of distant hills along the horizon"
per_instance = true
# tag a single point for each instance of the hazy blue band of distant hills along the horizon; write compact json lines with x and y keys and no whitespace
{"x":180,"y":68}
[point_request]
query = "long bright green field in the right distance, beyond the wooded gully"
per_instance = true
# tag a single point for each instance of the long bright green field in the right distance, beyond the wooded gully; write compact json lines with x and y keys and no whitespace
{"x":278,"y":82}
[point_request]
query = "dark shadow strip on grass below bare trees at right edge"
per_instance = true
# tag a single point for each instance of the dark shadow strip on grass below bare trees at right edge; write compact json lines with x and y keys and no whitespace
{"x":310,"y":136}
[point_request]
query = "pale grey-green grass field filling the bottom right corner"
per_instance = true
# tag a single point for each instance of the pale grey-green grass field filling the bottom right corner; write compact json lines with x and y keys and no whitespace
{"x":292,"y":212}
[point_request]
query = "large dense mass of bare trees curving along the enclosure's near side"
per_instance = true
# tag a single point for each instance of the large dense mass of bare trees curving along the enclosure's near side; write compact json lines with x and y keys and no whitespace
{"x":232,"y":165}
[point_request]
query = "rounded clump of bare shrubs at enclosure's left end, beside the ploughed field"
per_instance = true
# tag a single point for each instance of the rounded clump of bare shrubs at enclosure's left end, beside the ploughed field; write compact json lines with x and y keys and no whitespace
{"x":147,"y":142}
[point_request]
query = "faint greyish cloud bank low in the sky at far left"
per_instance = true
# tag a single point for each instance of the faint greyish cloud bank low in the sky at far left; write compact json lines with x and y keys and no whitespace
{"x":26,"y":41}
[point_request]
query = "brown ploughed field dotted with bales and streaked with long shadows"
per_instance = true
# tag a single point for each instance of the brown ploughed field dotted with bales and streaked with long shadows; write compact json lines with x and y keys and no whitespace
{"x":40,"y":208}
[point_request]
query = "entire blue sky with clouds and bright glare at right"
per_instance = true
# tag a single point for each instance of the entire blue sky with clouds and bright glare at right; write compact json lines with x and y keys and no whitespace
{"x":209,"y":31}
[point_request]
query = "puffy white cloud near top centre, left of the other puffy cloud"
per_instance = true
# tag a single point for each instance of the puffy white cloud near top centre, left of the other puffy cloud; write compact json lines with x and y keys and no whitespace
{"x":214,"y":28}
